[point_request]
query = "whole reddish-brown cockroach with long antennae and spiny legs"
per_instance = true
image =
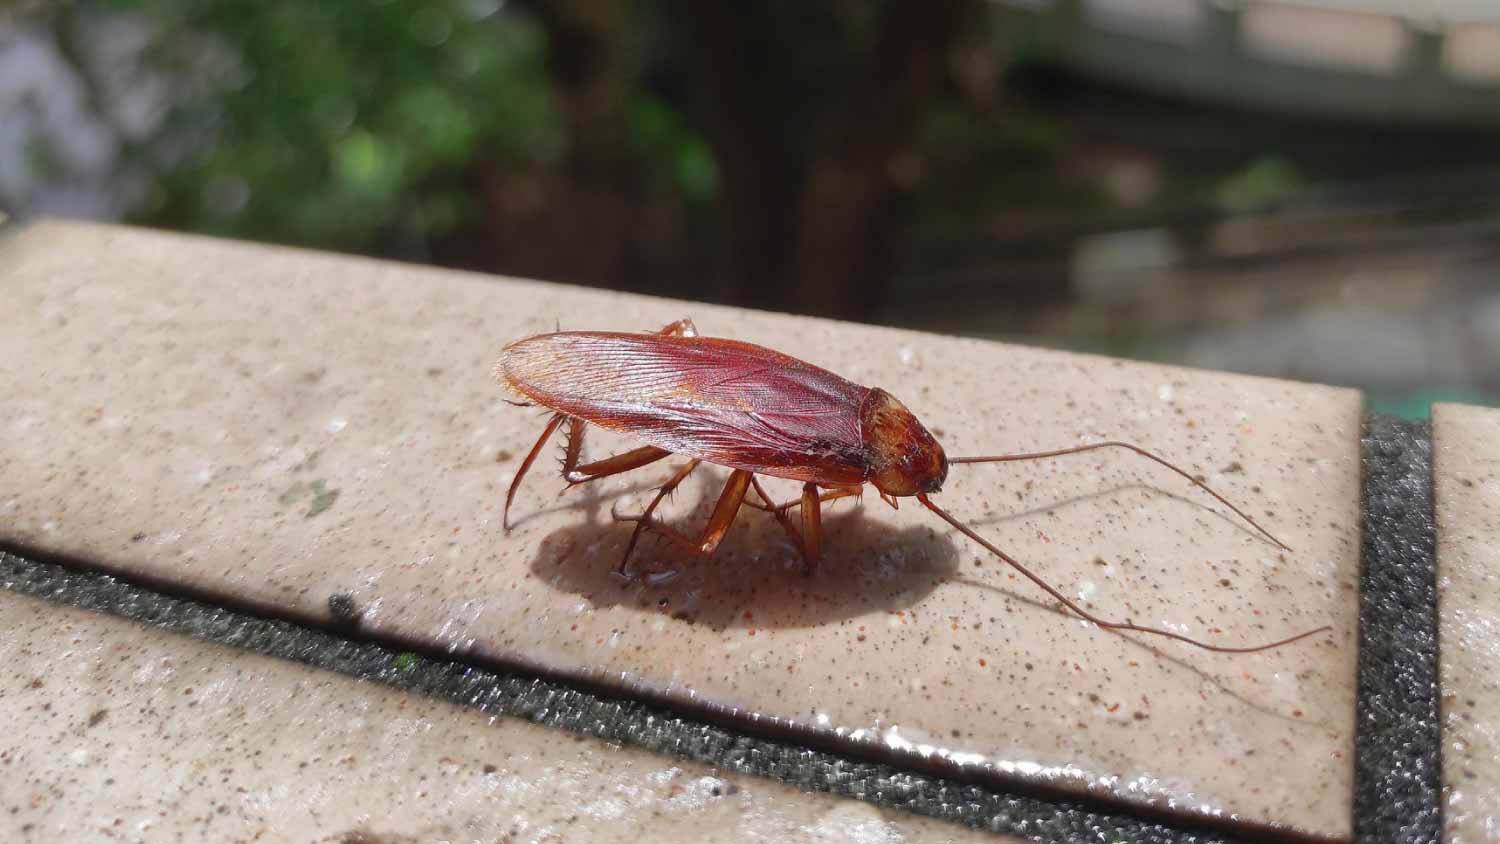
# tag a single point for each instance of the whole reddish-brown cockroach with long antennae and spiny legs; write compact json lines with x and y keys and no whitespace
{"x":758,"y":413}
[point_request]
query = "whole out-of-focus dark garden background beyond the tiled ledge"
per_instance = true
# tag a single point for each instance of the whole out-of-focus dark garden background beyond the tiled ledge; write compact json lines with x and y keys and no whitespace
{"x":1298,"y":188}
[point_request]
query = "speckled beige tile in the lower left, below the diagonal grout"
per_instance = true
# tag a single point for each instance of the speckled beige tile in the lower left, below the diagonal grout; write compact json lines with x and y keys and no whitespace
{"x":119,"y":732}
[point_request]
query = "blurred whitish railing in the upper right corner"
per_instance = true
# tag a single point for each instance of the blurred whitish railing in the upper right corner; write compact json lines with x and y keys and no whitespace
{"x":1436,"y":62}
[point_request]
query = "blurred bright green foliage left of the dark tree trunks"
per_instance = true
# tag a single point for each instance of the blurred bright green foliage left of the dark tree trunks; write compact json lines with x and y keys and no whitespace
{"x":340,"y":124}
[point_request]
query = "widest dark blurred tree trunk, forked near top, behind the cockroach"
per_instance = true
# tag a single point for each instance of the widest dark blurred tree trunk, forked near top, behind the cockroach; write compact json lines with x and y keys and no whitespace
{"x":818,"y":229}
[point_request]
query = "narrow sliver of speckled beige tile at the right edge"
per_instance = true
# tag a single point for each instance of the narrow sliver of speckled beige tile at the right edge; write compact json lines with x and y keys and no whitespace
{"x":1466,"y":480}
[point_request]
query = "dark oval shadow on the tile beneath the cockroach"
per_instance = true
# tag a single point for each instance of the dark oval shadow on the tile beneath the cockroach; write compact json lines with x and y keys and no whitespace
{"x":757,"y":576}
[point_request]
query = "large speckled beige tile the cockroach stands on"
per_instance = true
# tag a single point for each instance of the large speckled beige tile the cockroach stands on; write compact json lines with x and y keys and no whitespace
{"x":283,"y":428}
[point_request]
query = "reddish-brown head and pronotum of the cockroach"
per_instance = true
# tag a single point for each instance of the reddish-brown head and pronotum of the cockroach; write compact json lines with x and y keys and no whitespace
{"x":904,"y":458}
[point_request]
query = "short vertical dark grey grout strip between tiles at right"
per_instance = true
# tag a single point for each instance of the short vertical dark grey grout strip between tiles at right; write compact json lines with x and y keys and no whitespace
{"x":1399,"y":771}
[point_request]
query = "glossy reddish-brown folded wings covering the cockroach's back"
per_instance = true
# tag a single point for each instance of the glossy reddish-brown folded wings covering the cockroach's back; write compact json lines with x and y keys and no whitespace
{"x":721,"y":401}
